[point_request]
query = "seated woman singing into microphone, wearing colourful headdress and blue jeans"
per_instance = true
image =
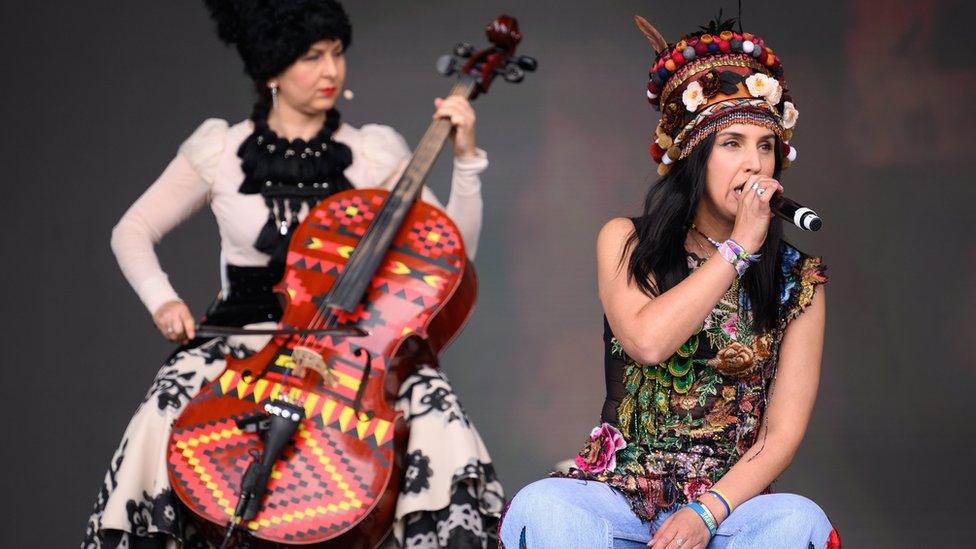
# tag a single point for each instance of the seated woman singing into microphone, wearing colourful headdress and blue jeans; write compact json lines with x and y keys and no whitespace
{"x":713,"y":329}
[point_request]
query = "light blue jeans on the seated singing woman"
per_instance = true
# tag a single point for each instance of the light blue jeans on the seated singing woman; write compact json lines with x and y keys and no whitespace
{"x":567,"y":513}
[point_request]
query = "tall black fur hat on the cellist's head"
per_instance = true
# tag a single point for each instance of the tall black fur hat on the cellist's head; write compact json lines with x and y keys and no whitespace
{"x":271,"y":34}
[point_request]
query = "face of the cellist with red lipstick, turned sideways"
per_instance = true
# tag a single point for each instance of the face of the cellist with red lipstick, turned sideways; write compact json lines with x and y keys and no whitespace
{"x":314,"y":81}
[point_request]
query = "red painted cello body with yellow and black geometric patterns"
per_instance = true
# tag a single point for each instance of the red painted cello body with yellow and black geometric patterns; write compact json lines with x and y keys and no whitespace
{"x":339,"y":479}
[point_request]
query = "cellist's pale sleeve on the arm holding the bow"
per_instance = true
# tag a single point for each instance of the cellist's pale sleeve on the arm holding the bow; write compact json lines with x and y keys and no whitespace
{"x":182,"y":189}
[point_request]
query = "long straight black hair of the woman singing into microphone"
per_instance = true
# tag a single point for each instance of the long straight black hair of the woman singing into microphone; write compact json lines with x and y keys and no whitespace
{"x":659,"y":260}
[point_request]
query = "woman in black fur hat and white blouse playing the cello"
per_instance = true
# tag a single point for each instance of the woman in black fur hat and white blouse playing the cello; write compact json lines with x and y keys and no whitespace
{"x":260,"y":177}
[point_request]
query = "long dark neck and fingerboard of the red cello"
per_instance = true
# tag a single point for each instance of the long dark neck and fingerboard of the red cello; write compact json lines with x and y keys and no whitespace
{"x":351,"y":284}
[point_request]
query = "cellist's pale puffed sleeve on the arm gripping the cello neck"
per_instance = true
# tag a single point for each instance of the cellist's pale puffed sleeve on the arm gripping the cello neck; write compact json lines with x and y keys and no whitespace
{"x":388,"y":154}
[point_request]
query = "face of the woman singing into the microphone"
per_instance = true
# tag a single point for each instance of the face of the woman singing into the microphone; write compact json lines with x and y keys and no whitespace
{"x":738,"y":152}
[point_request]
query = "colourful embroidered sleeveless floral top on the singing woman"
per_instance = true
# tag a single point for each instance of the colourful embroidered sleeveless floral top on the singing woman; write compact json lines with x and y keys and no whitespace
{"x":671,"y":430}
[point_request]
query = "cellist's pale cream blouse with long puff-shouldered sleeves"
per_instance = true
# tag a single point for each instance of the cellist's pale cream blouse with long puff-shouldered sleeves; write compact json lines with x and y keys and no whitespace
{"x":207,"y":170}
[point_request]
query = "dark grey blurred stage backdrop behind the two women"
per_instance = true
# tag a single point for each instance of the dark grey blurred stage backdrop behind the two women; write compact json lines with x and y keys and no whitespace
{"x":98,"y":95}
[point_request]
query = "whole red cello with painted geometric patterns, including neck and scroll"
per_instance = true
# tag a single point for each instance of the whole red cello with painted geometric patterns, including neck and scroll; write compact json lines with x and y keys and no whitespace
{"x":299,"y":443}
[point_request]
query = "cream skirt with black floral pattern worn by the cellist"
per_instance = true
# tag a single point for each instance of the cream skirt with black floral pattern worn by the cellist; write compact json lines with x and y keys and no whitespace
{"x":449,"y":494}
